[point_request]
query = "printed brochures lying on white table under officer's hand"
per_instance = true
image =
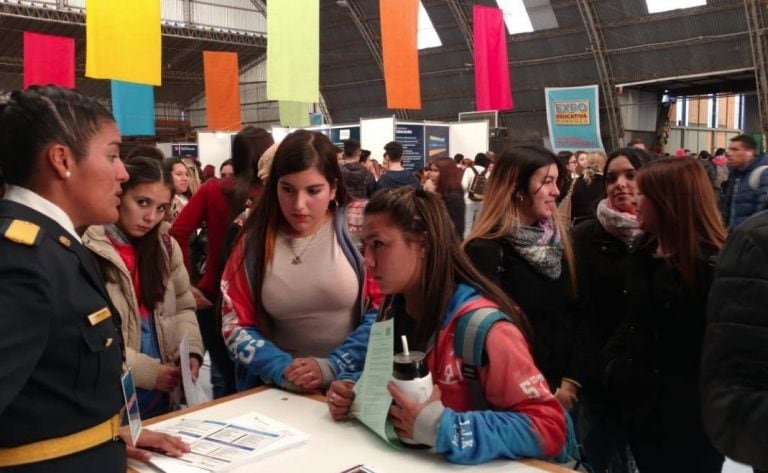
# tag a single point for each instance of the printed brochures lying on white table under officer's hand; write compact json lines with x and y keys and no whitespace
{"x":220,"y":446}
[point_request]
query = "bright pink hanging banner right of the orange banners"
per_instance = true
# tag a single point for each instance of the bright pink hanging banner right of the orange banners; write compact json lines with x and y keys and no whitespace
{"x":493,"y":89}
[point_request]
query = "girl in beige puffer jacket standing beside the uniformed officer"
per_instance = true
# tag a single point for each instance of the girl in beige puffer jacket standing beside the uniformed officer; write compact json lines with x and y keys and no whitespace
{"x":146,"y":280}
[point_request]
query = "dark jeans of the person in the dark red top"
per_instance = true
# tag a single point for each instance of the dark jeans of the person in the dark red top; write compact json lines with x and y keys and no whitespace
{"x":222,"y":368}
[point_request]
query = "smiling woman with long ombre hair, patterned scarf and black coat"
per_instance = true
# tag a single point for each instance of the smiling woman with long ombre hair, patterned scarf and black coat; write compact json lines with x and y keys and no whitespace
{"x":519,"y":242}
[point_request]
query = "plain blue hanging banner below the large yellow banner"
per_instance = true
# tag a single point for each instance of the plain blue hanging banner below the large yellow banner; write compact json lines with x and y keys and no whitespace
{"x":133,"y":106}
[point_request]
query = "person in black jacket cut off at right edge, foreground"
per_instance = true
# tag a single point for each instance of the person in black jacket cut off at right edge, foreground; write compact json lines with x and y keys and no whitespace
{"x":734,"y":373}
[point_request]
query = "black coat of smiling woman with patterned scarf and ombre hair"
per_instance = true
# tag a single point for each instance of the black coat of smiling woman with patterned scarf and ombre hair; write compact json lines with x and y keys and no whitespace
{"x":549,"y":305}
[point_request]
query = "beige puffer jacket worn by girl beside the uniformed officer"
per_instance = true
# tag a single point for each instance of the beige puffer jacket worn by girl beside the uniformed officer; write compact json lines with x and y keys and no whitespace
{"x":173,"y":318}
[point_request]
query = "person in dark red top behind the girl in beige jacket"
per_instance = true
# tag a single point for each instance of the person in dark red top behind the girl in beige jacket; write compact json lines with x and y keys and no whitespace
{"x":215,"y":205}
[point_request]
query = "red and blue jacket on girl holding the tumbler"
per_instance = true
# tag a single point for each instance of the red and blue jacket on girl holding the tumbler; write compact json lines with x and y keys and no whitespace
{"x":523,"y":419}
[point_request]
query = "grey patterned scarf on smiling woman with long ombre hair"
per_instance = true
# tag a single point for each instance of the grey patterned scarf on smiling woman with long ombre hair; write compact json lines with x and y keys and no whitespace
{"x":541,"y":246}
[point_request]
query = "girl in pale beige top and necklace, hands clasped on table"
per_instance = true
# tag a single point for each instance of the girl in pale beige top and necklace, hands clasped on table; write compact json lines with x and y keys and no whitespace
{"x":294,"y":296}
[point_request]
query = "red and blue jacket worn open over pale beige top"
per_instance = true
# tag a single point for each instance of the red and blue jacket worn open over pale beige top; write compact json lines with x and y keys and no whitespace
{"x":256,"y":358}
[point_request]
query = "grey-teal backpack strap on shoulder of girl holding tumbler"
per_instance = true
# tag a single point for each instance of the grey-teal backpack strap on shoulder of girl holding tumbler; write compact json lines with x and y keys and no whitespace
{"x":469,"y":344}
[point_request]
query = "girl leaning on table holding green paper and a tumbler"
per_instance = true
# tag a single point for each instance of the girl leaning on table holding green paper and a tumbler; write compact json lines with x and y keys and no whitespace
{"x":431,"y":287}
